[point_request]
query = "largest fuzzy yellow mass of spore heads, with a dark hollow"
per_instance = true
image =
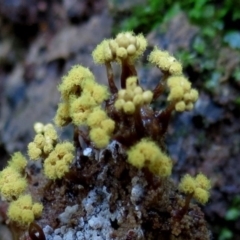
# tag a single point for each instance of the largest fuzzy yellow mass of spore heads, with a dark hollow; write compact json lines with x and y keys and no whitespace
{"x":81,"y":102}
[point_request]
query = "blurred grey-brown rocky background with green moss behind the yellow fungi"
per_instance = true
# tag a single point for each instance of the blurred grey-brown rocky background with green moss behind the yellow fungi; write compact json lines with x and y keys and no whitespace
{"x":206,"y":139}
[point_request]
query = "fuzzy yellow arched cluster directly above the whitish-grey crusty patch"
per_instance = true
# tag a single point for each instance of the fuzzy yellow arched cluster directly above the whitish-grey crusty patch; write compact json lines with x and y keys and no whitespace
{"x":147,"y":154}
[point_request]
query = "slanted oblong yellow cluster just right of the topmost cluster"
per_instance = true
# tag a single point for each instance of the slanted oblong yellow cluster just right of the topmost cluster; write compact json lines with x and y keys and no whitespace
{"x":166,"y":62}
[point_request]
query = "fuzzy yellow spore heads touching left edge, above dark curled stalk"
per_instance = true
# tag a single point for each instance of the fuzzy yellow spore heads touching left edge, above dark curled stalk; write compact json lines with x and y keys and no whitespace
{"x":13,"y":185}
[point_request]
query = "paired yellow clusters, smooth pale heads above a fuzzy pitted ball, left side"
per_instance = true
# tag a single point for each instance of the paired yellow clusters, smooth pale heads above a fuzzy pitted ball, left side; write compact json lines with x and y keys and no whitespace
{"x":57,"y":156}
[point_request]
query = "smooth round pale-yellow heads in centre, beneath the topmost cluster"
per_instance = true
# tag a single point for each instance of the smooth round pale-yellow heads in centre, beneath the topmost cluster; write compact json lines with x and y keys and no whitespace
{"x":133,"y":96}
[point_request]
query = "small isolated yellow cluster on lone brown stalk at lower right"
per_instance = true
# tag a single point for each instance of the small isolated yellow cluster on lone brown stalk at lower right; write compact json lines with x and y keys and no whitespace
{"x":199,"y":187}
